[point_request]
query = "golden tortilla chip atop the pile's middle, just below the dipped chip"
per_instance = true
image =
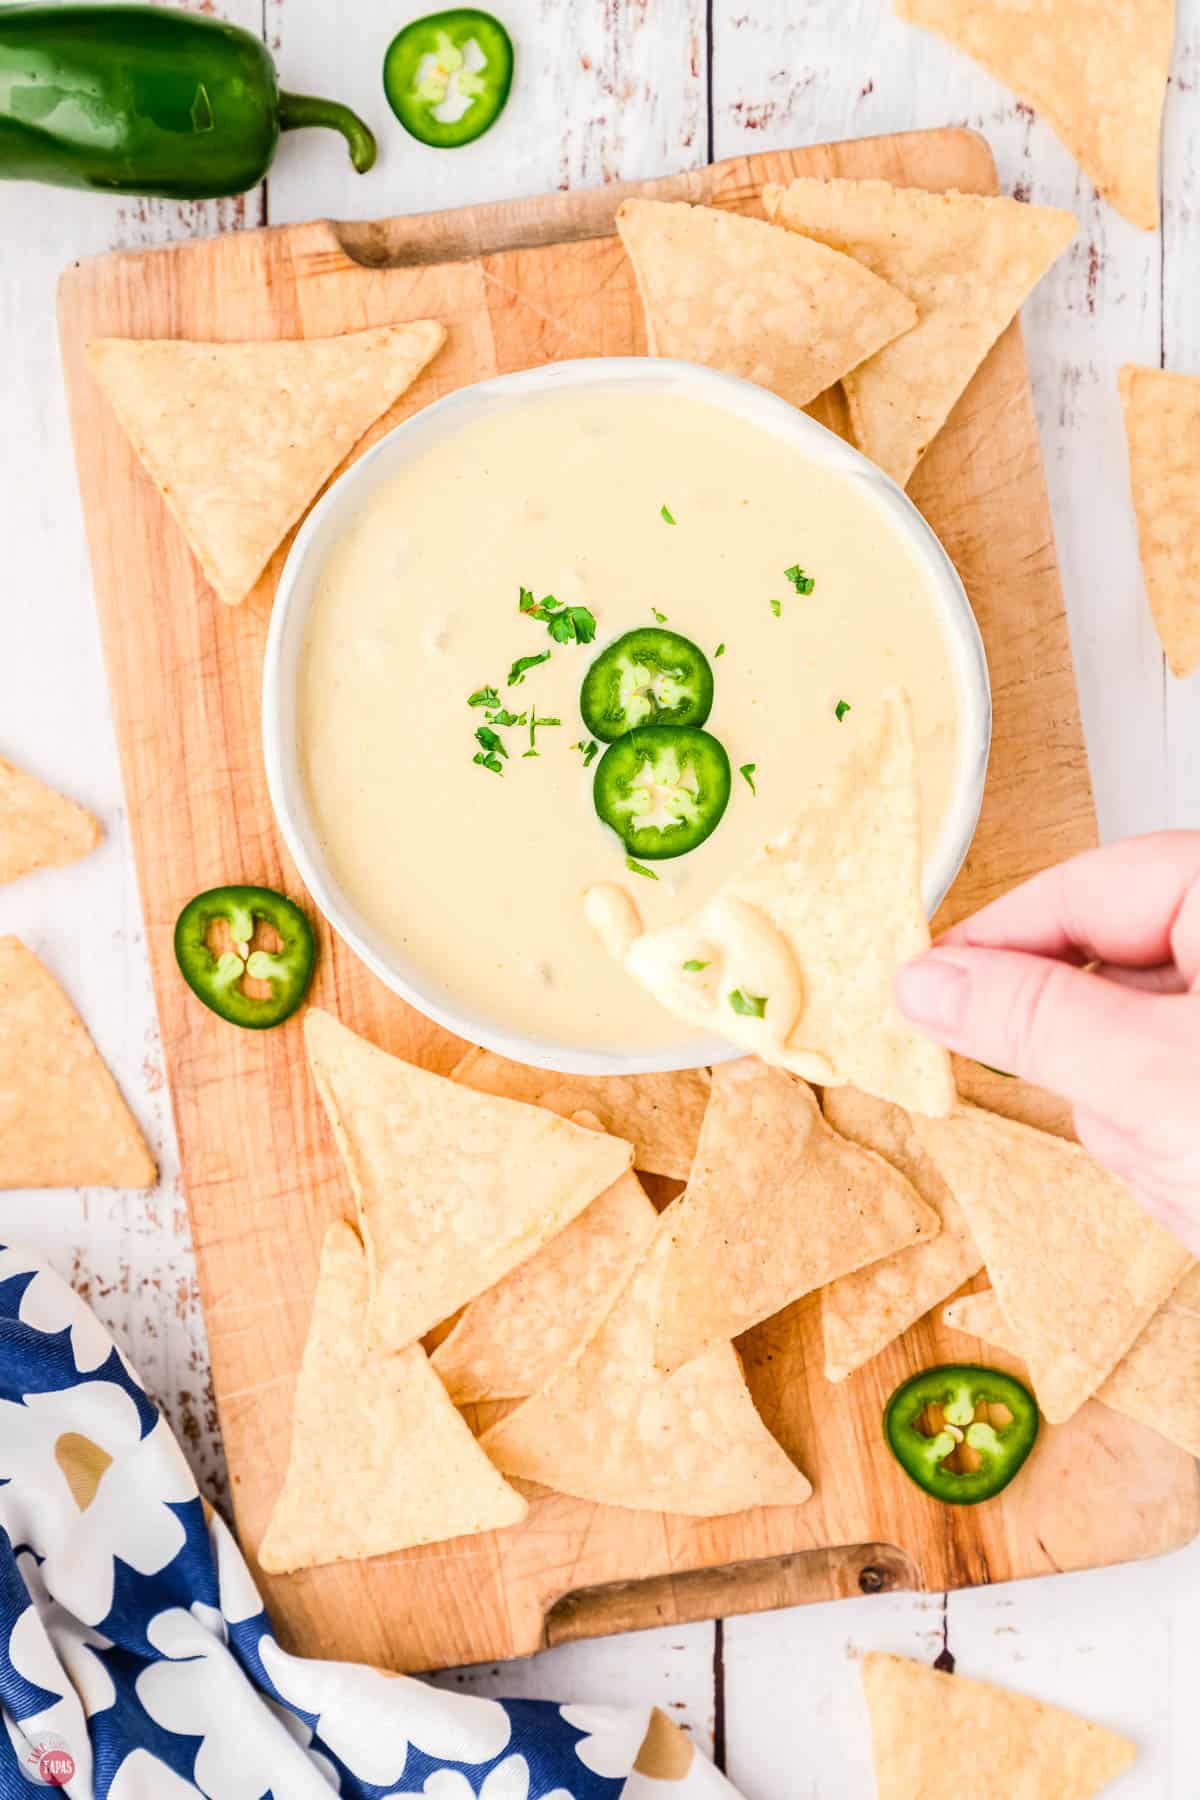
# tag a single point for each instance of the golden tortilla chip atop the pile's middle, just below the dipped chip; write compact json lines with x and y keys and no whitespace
{"x":778,"y":1205}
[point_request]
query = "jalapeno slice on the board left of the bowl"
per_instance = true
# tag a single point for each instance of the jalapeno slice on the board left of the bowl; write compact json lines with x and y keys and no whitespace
{"x":215,"y":962}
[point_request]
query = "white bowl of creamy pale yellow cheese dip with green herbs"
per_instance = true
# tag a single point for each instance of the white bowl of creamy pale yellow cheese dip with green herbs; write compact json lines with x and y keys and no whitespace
{"x":643,"y":494}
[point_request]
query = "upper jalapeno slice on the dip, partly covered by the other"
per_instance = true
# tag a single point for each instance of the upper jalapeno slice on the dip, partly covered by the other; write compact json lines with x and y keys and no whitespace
{"x":649,"y":678}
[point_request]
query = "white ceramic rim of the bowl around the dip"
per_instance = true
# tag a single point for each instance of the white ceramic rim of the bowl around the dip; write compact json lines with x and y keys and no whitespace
{"x":341,"y":505}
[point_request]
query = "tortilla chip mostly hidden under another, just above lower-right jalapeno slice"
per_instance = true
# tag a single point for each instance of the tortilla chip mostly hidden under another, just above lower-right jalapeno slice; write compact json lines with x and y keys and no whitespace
{"x":1158,"y":1383}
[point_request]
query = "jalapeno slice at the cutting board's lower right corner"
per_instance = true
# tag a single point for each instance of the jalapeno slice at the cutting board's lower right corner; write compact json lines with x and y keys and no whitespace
{"x":962,"y":1432}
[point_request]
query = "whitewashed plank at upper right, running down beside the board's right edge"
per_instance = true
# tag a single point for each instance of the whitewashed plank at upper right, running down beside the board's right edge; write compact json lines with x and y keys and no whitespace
{"x":846,"y":69}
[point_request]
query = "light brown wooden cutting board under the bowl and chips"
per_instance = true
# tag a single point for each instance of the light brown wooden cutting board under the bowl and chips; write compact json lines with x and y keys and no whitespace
{"x":521,"y":285}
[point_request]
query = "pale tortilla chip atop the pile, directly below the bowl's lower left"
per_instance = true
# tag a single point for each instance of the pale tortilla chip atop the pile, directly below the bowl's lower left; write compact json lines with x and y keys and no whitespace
{"x":454,"y":1189}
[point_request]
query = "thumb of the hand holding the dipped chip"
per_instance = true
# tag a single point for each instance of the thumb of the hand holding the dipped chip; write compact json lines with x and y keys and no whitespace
{"x":1102,"y":1045}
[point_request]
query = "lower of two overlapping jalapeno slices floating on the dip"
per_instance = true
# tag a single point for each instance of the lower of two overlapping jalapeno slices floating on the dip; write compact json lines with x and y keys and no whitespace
{"x":663,"y":789}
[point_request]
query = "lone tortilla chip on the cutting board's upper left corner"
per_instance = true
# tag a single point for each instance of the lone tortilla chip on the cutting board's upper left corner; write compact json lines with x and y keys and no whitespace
{"x":238,"y":438}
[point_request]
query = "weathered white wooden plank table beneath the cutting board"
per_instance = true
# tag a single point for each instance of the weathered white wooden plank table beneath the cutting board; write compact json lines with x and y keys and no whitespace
{"x":613,"y":89}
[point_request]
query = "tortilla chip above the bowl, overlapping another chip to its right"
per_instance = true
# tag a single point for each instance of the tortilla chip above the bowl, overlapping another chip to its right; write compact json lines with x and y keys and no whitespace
{"x":740,"y":296}
